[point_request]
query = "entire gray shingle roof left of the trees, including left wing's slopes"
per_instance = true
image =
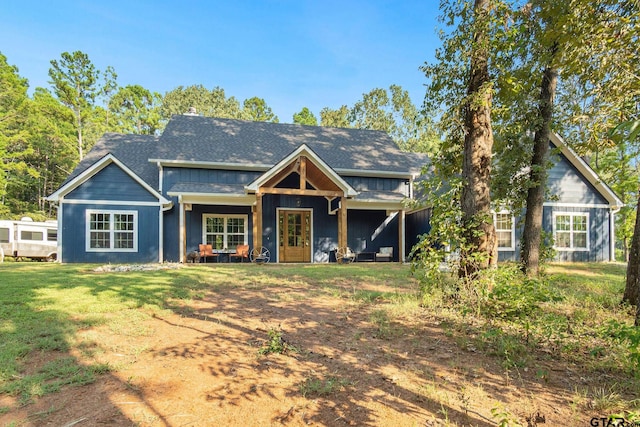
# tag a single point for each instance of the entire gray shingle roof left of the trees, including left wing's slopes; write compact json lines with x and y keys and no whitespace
{"x":244,"y":143}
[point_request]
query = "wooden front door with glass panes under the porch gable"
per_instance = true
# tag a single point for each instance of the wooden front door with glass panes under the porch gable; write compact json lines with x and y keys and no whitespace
{"x":294,"y":236}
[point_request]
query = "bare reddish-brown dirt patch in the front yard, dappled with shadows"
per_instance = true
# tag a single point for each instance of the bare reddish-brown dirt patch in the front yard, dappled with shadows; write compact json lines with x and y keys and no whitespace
{"x":341,"y":362}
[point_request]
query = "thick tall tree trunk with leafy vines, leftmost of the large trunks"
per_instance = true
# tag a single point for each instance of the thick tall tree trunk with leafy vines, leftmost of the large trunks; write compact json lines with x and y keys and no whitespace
{"x":479,"y":251}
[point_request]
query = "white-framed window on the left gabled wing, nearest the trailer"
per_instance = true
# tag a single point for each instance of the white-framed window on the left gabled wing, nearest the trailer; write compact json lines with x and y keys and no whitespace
{"x":112,"y":231}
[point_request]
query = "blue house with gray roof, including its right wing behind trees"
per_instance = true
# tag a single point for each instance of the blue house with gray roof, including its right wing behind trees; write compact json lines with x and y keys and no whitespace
{"x":295,"y":193}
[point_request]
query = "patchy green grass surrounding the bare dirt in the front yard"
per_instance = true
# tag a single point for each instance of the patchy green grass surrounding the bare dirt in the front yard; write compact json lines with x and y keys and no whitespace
{"x":45,"y":306}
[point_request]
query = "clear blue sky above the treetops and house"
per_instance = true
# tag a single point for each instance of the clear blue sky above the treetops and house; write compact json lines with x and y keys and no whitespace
{"x":293,"y":54}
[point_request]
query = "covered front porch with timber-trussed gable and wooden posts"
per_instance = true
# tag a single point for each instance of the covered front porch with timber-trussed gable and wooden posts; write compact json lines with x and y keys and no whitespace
{"x":300,"y":210}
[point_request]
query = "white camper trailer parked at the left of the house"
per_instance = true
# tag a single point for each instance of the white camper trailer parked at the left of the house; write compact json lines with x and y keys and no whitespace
{"x":29,"y":239}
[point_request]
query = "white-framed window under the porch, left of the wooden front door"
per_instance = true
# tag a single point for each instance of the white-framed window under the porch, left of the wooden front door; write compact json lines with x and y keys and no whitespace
{"x":224,"y":231}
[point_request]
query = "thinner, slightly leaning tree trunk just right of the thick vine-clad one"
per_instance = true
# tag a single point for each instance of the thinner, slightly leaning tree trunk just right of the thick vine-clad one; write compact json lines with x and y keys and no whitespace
{"x":532,"y":234}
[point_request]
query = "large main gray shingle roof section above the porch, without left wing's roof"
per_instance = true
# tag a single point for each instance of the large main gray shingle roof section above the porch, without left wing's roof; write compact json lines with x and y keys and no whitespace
{"x":206,"y":139}
